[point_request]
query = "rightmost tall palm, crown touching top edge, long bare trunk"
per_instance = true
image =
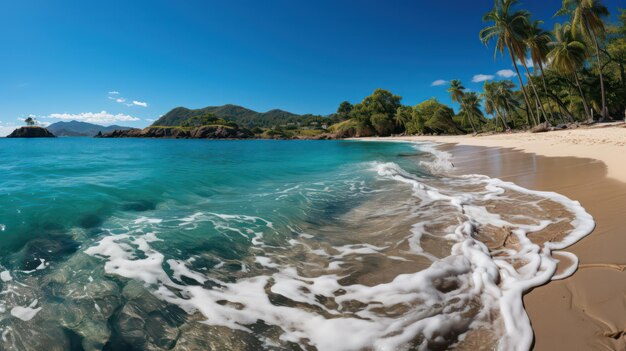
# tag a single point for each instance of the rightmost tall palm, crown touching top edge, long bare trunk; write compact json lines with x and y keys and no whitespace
{"x":586,"y":18}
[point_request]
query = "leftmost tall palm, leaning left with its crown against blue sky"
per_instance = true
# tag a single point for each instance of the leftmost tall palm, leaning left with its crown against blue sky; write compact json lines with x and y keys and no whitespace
{"x":508,"y":31}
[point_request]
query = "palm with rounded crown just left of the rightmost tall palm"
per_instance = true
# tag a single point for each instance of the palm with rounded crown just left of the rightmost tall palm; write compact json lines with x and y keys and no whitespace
{"x":567,"y":55}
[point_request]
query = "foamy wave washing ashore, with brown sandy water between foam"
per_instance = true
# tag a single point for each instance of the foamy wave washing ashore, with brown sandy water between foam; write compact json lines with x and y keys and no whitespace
{"x":475,"y":243}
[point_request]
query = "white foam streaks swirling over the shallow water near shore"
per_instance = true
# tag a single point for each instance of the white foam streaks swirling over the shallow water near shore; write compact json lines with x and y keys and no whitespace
{"x":496,"y":283}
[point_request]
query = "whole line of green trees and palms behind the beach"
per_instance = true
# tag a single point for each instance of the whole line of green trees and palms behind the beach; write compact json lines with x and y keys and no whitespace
{"x":572,"y":73}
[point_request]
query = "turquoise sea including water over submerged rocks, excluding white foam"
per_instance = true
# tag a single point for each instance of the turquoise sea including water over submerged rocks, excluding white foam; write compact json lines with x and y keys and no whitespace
{"x":59,"y":196}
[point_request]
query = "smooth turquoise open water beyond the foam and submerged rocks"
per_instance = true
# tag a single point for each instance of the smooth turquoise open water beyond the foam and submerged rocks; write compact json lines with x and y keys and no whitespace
{"x":50,"y":186}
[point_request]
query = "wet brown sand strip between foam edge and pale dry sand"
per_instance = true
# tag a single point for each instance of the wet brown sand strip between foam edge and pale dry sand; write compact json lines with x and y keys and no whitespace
{"x":587,"y":310}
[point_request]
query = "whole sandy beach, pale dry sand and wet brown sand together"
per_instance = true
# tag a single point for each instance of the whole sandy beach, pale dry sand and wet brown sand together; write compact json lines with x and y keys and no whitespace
{"x":587,"y":310}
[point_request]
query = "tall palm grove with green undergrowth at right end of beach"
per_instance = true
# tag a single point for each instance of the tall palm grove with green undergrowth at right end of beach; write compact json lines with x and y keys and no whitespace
{"x":577,"y":66}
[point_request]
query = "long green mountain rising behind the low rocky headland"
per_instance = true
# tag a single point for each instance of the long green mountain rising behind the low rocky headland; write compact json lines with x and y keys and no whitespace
{"x":240,"y":115}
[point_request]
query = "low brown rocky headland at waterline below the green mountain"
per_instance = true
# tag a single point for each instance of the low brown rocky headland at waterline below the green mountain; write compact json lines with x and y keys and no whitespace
{"x":203,"y":132}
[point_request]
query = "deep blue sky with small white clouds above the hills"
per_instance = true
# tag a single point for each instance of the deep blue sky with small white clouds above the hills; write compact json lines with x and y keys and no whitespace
{"x":138,"y":59}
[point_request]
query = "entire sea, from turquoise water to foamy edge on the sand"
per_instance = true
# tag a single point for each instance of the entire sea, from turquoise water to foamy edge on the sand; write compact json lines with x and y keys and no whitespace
{"x":245,"y":245}
